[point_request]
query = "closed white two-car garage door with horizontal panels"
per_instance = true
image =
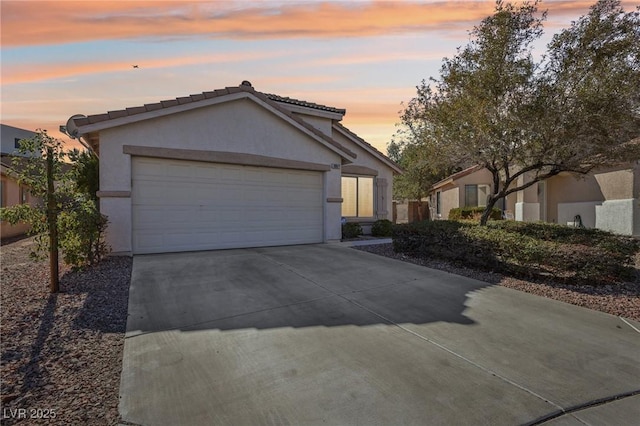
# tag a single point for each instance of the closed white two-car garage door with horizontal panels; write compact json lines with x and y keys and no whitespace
{"x":186,"y":205}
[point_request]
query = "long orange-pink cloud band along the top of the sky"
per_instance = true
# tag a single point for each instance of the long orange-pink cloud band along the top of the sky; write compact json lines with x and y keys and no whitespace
{"x":41,"y":23}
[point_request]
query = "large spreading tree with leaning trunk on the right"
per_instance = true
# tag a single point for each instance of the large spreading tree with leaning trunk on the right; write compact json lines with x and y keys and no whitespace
{"x":525,"y":121}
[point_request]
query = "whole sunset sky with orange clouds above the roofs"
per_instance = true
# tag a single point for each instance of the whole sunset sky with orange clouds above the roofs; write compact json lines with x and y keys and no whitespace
{"x":61,"y":58}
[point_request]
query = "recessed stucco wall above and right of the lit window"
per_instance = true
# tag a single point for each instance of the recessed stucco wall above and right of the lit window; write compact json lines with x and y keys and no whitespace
{"x":383,"y":179}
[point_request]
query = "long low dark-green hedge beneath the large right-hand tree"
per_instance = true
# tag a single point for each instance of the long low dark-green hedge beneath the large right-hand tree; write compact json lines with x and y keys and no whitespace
{"x":522,"y":249}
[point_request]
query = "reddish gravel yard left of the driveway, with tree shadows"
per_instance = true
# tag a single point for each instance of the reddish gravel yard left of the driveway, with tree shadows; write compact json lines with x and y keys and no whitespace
{"x":61,"y":353}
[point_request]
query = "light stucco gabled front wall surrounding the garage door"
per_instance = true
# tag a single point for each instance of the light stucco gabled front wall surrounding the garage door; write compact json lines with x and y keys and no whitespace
{"x":239,"y":126}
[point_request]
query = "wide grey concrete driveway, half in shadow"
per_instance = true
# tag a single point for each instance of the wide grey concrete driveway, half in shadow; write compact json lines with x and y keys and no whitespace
{"x":325,"y":334}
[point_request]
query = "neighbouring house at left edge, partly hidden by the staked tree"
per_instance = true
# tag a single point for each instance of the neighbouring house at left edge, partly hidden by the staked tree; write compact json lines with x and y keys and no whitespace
{"x":11,"y":192}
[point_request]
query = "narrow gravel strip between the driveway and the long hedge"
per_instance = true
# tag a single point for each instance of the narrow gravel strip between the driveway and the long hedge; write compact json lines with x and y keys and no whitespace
{"x":620,"y":300}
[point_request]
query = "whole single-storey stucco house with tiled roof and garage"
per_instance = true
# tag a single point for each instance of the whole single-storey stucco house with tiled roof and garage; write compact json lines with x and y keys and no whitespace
{"x":232,"y":168}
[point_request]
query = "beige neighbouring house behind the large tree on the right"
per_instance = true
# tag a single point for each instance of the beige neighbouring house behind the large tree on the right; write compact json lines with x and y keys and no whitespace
{"x":607,"y":198}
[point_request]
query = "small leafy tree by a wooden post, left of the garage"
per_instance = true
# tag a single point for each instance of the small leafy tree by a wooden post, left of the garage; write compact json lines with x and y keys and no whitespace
{"x":67,"y":217}
